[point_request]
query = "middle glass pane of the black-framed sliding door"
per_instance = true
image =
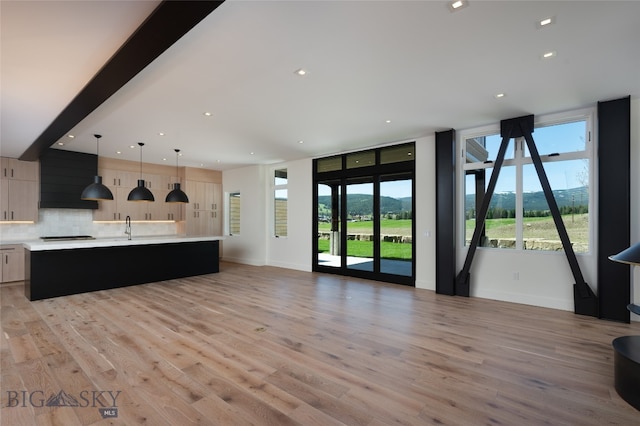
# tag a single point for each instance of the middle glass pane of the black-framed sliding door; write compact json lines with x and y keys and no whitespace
{"x":360,"y":236}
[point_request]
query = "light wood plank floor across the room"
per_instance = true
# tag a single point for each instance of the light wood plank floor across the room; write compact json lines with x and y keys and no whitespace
{"x":269,"y":346}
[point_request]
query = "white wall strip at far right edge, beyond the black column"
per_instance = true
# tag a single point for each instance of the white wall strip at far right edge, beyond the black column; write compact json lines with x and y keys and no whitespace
{"x":635,"y":197}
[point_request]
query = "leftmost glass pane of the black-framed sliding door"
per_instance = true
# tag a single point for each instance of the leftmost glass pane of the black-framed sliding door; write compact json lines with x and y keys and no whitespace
{"x":328,"y":239}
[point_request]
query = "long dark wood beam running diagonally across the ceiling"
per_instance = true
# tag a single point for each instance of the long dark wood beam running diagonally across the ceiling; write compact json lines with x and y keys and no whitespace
{"x":166,"y":25}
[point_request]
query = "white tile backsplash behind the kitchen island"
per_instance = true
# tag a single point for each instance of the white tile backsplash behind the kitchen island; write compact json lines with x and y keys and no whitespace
{"x":52,"y":222}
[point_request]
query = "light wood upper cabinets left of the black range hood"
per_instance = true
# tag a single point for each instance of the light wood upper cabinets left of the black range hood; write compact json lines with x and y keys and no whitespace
{"x":19,"y":198}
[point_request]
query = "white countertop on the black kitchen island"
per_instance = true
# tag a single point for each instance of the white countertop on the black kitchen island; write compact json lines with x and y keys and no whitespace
{"x":113,"y":242}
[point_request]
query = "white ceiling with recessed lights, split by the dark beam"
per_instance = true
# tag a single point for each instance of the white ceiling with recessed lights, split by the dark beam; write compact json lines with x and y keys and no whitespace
{"x":412,"y":62}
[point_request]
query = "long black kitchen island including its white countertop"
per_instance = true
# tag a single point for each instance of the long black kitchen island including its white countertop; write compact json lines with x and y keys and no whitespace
{"x":61,"y":268}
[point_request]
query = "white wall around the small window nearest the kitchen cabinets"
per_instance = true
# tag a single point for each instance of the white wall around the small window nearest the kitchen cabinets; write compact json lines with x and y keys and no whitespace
{"x":249,"y":247}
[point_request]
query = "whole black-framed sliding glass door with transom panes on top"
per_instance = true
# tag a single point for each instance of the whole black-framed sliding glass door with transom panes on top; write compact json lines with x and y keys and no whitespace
{"x":364,"y":215}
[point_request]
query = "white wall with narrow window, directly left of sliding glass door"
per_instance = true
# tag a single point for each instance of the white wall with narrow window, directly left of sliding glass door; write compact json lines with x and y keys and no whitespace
{"x":294,"y":250}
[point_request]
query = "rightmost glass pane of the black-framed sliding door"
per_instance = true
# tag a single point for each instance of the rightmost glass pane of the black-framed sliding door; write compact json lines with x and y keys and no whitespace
{"x":396,"y":225}
